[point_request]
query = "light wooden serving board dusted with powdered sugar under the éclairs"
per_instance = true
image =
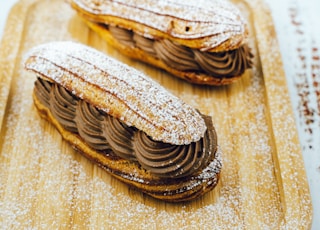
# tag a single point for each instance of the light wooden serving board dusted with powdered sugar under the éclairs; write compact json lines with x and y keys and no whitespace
{"x":45,"y":184}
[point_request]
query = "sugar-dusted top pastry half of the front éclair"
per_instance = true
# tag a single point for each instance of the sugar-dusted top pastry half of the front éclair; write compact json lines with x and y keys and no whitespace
{"x":117,"y":89}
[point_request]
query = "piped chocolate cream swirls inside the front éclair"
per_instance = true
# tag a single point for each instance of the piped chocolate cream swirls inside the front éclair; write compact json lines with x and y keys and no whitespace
{"x":109,"y":135}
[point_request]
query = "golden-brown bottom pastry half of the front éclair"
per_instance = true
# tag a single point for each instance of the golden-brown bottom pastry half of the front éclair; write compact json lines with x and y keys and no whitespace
{"x":173,"y":190}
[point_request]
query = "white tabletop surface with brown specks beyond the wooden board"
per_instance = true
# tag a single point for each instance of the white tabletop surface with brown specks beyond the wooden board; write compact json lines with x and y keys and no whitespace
{"x":296,"y":23}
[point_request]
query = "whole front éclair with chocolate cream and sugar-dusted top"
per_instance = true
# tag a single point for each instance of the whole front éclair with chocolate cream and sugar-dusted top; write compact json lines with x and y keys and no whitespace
{"x":125,"y":122}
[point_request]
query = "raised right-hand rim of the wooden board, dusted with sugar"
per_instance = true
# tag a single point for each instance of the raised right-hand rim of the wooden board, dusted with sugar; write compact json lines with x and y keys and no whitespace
{"x":293,"y":183}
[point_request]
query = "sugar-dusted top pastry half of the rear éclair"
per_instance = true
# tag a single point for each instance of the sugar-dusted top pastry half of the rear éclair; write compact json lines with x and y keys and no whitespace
{"x":206,"y":24}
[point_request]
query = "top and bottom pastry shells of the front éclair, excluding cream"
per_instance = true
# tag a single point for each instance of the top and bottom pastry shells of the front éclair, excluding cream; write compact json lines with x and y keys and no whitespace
{"x":113,"y":87}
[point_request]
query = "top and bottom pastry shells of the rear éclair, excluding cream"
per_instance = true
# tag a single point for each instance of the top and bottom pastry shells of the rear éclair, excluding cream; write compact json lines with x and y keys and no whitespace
{"x":209,"y":26}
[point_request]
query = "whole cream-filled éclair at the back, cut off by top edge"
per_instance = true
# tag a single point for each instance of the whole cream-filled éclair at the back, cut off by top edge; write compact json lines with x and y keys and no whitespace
{"x":203,"y":42}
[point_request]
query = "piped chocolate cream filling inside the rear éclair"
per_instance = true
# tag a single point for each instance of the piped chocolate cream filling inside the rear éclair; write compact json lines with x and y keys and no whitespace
{"x":217,"y":64}
